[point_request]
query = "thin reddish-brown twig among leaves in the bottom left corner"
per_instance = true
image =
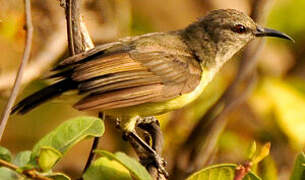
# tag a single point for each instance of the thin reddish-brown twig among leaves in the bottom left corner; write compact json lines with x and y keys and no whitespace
{"x":32,"y":173}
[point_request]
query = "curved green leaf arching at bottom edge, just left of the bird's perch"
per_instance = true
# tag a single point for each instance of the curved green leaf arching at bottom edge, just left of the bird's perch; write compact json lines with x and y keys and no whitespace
{"x":134,"y":167}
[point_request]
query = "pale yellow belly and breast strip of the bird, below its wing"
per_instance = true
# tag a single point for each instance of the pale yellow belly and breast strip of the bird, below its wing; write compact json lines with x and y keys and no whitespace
{"x":157,"y":108}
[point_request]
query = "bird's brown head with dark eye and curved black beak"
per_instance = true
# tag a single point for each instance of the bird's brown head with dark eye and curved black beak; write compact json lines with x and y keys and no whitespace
{"x":231,"y":30}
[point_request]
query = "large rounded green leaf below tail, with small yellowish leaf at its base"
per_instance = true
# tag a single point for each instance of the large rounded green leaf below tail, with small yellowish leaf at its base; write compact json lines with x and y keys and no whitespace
{"x":60,"y":140}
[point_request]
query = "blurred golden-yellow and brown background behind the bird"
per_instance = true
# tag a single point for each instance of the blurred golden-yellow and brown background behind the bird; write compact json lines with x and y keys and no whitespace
{"x":273,"y":111}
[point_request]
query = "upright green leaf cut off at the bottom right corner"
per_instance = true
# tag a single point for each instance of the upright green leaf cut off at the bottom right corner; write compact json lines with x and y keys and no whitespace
{"x":298,"y":172}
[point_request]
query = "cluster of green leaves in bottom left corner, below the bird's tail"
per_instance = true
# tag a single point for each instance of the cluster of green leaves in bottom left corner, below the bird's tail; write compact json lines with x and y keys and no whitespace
{"x":52,"y":147}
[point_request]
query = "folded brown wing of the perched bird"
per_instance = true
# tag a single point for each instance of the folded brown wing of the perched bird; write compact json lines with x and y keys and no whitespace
{"x":134,"y":77}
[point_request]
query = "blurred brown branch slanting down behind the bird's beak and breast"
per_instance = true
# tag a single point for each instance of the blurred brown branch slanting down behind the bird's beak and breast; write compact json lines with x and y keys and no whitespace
{"x":199,"y":151}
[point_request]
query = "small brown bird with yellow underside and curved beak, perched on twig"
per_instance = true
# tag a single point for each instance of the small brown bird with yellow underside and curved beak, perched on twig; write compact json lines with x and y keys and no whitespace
{"x":154,"y":73}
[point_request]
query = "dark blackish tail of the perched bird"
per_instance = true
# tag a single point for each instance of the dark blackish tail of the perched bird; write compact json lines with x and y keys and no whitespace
{"x":43,"y":95}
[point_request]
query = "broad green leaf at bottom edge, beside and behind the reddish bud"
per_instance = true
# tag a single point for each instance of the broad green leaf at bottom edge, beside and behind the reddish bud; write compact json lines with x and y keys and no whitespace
{"x":220,"y":172}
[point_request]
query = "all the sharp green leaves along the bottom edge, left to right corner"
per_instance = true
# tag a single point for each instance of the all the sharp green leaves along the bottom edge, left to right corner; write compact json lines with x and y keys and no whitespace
{"x":52,"y":147}
